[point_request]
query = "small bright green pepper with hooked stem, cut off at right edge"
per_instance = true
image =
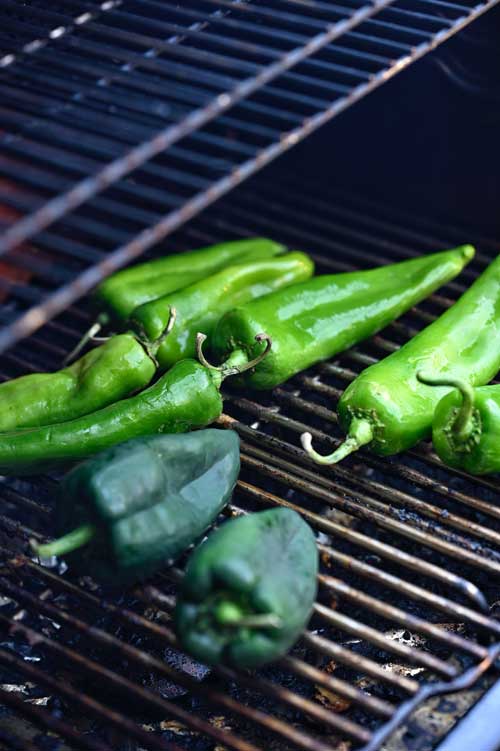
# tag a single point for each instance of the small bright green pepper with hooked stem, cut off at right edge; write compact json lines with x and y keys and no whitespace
{"x":466,"y":425}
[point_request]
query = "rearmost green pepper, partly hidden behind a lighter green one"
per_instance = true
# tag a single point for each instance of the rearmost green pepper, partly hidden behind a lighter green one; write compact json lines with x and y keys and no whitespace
{"x":121,"y":293}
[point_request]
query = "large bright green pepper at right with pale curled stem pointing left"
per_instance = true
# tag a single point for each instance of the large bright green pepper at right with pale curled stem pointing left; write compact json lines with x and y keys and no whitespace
{"x":389,"y":408}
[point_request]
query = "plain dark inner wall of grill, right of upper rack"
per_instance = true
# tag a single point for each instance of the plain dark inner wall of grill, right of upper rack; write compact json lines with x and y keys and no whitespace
{"x":429,"y":139}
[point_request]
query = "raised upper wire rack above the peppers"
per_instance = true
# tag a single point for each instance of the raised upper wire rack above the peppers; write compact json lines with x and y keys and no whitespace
{"x":122,"y":119}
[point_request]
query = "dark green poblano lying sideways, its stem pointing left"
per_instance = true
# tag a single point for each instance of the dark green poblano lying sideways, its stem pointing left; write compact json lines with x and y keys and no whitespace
{"x":139,"y":505}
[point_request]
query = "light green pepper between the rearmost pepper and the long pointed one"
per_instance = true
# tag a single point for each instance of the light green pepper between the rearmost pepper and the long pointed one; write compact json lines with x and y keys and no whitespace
{"x":201,"y":305}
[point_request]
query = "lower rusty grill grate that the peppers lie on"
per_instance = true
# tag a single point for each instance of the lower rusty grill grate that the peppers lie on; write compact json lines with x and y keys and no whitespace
{"x":410,"y":550}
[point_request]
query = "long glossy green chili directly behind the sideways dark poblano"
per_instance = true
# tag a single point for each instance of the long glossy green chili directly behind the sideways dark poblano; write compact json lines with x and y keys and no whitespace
{"x":186,"y":397}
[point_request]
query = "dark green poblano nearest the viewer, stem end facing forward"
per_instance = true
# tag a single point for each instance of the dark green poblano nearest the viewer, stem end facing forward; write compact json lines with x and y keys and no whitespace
{"x":253,"y":570}
